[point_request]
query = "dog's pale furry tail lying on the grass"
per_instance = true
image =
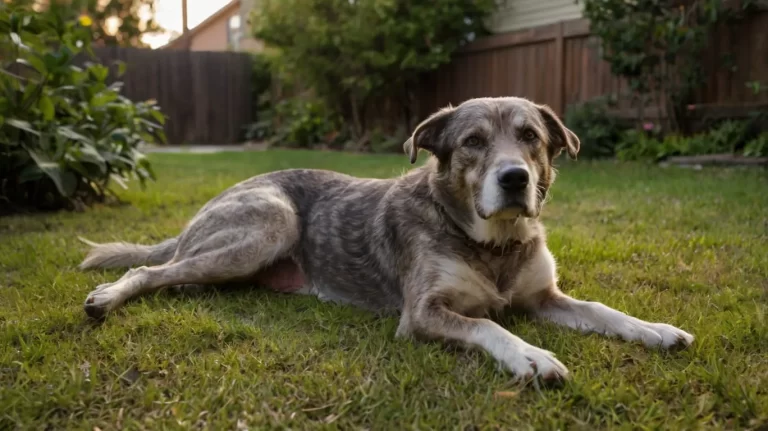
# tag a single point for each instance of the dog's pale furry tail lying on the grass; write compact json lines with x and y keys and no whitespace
{"x":123,"y":255}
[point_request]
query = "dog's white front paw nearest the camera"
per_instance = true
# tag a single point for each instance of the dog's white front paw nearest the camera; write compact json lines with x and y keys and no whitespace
{"x":530,"y":361}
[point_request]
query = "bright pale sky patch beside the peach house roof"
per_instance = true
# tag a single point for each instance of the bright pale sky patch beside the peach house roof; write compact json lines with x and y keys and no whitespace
{"x":168,"y":16}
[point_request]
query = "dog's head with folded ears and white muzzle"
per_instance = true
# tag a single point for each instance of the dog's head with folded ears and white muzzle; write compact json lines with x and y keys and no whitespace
{"x":495,"y":153}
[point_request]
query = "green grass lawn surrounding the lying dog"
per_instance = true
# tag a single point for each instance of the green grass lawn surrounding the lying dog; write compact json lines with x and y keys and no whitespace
{"x":684,"y":247}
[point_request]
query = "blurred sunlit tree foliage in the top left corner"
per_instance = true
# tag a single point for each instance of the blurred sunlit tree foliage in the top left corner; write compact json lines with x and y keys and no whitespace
{"x":114,"y":22}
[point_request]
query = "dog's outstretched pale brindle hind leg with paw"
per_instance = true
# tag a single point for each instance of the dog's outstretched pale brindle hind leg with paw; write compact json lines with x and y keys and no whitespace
{"x":229,"y":241}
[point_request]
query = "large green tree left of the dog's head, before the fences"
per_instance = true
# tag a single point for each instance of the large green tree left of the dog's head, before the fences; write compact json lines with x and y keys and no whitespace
{"x":351,"y":52}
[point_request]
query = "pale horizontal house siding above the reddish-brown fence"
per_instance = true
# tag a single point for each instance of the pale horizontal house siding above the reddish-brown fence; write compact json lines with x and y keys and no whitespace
{"x":521,"y":14}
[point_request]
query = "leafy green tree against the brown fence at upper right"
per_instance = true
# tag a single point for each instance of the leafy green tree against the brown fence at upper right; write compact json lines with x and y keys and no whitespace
{"x":656,"y":45}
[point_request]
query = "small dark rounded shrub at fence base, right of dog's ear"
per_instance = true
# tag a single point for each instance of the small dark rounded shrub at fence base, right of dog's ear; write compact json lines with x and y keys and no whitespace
{"x":598,"y":131}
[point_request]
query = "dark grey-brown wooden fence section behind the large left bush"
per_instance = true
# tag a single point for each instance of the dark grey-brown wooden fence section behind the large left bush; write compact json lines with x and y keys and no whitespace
{"x":205,"y":95}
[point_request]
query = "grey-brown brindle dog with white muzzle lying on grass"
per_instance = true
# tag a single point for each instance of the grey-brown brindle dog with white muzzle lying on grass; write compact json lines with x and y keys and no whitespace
{"x":443,"y":245}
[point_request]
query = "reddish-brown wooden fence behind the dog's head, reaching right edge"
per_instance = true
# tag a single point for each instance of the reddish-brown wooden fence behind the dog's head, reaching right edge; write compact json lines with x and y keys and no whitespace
{"x":560,"y":65}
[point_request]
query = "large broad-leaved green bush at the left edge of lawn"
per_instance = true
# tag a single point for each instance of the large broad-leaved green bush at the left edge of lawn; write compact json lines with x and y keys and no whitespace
{"x":65,"y":133}
